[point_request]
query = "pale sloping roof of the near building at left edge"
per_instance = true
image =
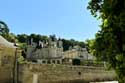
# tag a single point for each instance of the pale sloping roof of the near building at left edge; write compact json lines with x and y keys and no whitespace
{"x":4,"y":42}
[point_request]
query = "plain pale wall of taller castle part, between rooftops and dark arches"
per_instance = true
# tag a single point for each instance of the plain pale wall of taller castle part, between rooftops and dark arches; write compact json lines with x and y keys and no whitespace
{"x":44,"y":53}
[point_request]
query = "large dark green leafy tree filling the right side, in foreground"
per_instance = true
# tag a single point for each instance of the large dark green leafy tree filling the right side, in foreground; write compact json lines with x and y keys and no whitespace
{"x":110,"y":41}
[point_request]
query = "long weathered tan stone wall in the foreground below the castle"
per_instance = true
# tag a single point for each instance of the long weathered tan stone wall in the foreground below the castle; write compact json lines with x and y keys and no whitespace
{"x":51,"y":73}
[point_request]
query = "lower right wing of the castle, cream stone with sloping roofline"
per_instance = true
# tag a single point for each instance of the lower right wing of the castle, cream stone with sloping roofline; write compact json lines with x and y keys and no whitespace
{"x":77,"y":53}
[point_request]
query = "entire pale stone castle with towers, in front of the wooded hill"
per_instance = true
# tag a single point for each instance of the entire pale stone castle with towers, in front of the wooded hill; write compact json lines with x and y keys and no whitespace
{"x":51,"y":52}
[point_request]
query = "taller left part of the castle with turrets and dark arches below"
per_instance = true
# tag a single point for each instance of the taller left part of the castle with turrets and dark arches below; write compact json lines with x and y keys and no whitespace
{"x":46,"y":52}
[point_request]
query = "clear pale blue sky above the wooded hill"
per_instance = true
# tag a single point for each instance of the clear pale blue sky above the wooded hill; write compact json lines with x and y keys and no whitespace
{"x":67,"y":19}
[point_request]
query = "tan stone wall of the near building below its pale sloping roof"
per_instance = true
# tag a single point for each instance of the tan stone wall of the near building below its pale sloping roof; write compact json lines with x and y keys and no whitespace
{"x":6,"y":64}
